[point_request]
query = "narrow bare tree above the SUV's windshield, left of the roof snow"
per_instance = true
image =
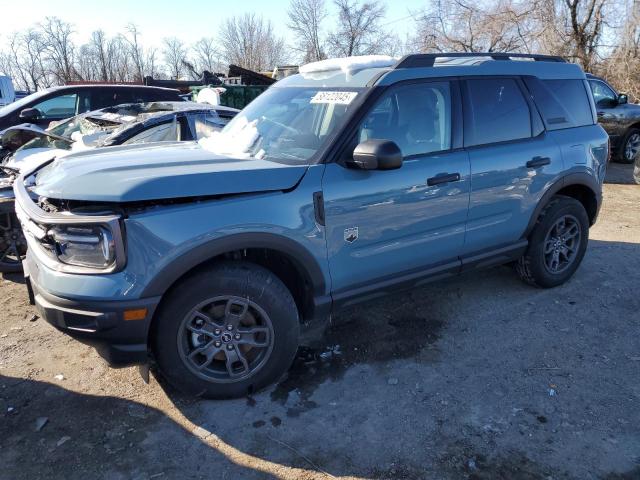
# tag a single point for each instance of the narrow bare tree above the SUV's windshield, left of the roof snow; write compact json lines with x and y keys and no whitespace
{"x":305,"y":19}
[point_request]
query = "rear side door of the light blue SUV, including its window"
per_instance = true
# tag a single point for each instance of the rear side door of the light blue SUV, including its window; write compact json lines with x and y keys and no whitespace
{"x":512,"y":161}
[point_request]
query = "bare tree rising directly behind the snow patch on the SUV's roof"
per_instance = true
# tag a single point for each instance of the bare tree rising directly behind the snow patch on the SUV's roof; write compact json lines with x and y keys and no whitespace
{"x":359,"y":30}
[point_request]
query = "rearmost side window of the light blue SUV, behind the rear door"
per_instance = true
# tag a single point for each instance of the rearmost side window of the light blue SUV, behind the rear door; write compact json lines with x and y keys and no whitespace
{"x":562,"y":103}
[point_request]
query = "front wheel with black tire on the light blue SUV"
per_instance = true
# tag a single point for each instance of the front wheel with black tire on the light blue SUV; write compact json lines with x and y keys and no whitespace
{"x":196,"y":353}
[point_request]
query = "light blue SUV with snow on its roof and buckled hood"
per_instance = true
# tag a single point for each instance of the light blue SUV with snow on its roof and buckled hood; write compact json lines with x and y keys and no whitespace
{"x":344,"y":183}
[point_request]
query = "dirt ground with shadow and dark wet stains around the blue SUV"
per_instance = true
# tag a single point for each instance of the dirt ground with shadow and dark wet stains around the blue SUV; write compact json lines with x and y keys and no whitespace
{"x":479,"y":377}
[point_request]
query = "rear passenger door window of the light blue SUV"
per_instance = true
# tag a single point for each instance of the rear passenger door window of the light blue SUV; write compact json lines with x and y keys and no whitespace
{"x":495,"y":111}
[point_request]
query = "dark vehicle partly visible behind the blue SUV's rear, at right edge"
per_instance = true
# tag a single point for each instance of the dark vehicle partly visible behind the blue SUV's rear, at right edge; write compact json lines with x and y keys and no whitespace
{"x":619,"y":118}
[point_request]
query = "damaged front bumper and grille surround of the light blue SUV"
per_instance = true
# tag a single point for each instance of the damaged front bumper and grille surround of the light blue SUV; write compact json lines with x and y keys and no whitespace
{"x":74,"y":300}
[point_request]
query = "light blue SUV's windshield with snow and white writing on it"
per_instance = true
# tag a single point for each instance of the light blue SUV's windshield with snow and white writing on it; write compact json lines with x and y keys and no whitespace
{"x":285,"y":124}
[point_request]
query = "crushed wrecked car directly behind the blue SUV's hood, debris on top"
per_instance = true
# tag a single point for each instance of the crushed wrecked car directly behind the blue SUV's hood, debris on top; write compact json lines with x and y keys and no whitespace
{"x":27,"y":146}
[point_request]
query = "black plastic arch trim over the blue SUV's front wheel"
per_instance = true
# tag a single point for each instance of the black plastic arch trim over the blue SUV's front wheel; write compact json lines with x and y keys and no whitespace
{"x":301,"y":257}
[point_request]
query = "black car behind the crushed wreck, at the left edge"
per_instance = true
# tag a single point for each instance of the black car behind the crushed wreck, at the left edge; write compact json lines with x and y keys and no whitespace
{"x":57,"y":103}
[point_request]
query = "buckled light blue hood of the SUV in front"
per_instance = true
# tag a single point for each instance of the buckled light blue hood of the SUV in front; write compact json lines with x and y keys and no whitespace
{"x":162,"y":171}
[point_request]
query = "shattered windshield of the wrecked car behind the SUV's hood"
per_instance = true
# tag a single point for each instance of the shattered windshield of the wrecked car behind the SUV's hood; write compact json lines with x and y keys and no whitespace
{"x":76,"y":129}
